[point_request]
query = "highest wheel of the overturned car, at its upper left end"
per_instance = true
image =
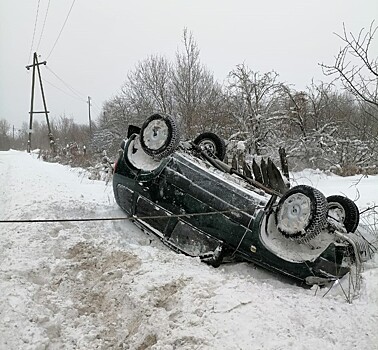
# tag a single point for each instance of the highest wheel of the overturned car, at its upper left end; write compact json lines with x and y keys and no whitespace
{"x":159,"y":135}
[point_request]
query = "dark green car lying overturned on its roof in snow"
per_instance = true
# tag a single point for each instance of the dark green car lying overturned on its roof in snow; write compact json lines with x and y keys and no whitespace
{"x":200,"y":206}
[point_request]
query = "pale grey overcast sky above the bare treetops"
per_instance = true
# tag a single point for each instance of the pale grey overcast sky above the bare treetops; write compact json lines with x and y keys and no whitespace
{"x":103,"y":40}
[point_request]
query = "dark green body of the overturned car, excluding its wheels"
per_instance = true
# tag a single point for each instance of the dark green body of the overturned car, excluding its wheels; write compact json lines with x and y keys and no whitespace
{"x":195,"y":209}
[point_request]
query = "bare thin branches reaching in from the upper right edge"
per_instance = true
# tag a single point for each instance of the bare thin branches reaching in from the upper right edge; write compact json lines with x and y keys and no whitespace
{"x":355,"y":68}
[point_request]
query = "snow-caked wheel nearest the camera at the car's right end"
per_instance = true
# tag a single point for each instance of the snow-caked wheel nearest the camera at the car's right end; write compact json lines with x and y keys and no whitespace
{"x":302,"y":213}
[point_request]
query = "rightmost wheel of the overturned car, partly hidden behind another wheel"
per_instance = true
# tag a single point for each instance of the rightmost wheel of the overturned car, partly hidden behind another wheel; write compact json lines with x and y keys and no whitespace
{"x":347,"y":209}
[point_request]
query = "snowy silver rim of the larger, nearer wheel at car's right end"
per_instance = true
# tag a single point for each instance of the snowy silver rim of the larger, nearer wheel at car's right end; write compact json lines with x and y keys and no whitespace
{"x":294,"y":214}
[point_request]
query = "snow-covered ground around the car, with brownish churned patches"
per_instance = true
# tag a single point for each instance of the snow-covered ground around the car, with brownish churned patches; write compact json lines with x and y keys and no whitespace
{"x":107,"y":285}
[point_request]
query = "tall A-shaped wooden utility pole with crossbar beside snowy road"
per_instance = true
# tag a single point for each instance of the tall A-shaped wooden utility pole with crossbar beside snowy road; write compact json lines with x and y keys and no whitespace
{"x":35,"y":67}
